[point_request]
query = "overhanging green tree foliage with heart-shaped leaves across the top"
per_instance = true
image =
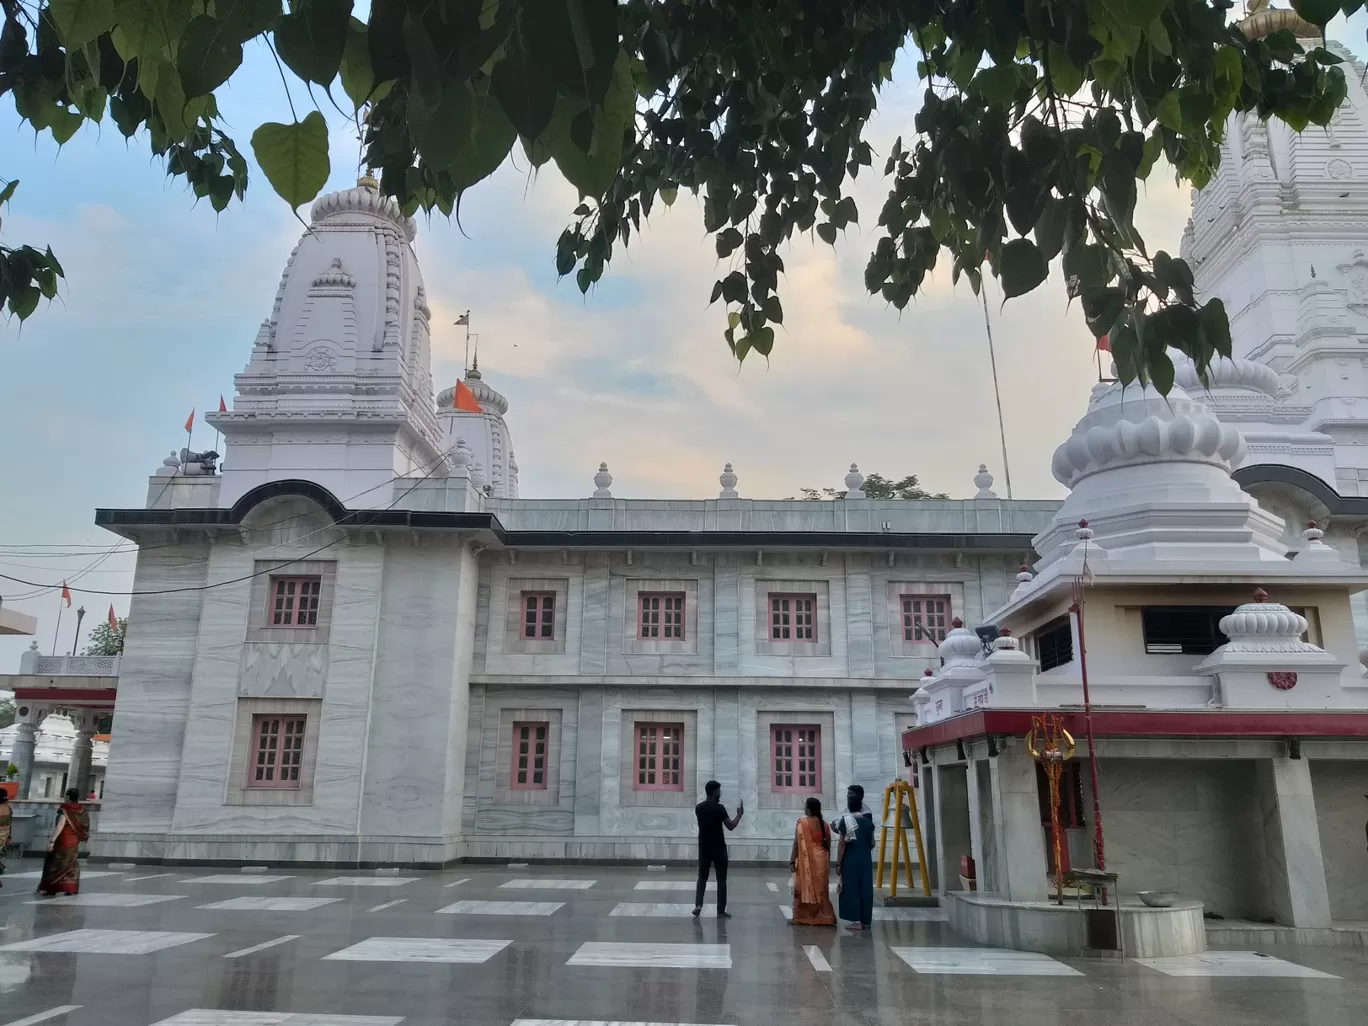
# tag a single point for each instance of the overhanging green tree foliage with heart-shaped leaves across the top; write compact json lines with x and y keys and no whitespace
{"x":1038,"y":120}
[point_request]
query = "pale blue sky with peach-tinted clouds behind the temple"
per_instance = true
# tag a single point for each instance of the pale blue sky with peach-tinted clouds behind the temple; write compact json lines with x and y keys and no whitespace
{"x":163,"y":298}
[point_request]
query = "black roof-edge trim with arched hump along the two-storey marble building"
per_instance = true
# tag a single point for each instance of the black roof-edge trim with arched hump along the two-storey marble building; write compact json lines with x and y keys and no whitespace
{"x":423,"y":521}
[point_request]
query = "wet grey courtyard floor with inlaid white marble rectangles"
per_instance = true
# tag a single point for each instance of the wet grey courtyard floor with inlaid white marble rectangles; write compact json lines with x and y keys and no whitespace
{"x":181,"y":947}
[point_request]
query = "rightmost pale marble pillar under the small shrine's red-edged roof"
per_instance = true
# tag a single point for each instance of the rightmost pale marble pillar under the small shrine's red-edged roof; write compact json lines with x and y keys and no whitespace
{"x":1292,"y":843}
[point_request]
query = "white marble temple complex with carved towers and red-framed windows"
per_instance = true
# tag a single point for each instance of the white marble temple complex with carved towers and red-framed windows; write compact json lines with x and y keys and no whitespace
{"x":354,"y":642}
